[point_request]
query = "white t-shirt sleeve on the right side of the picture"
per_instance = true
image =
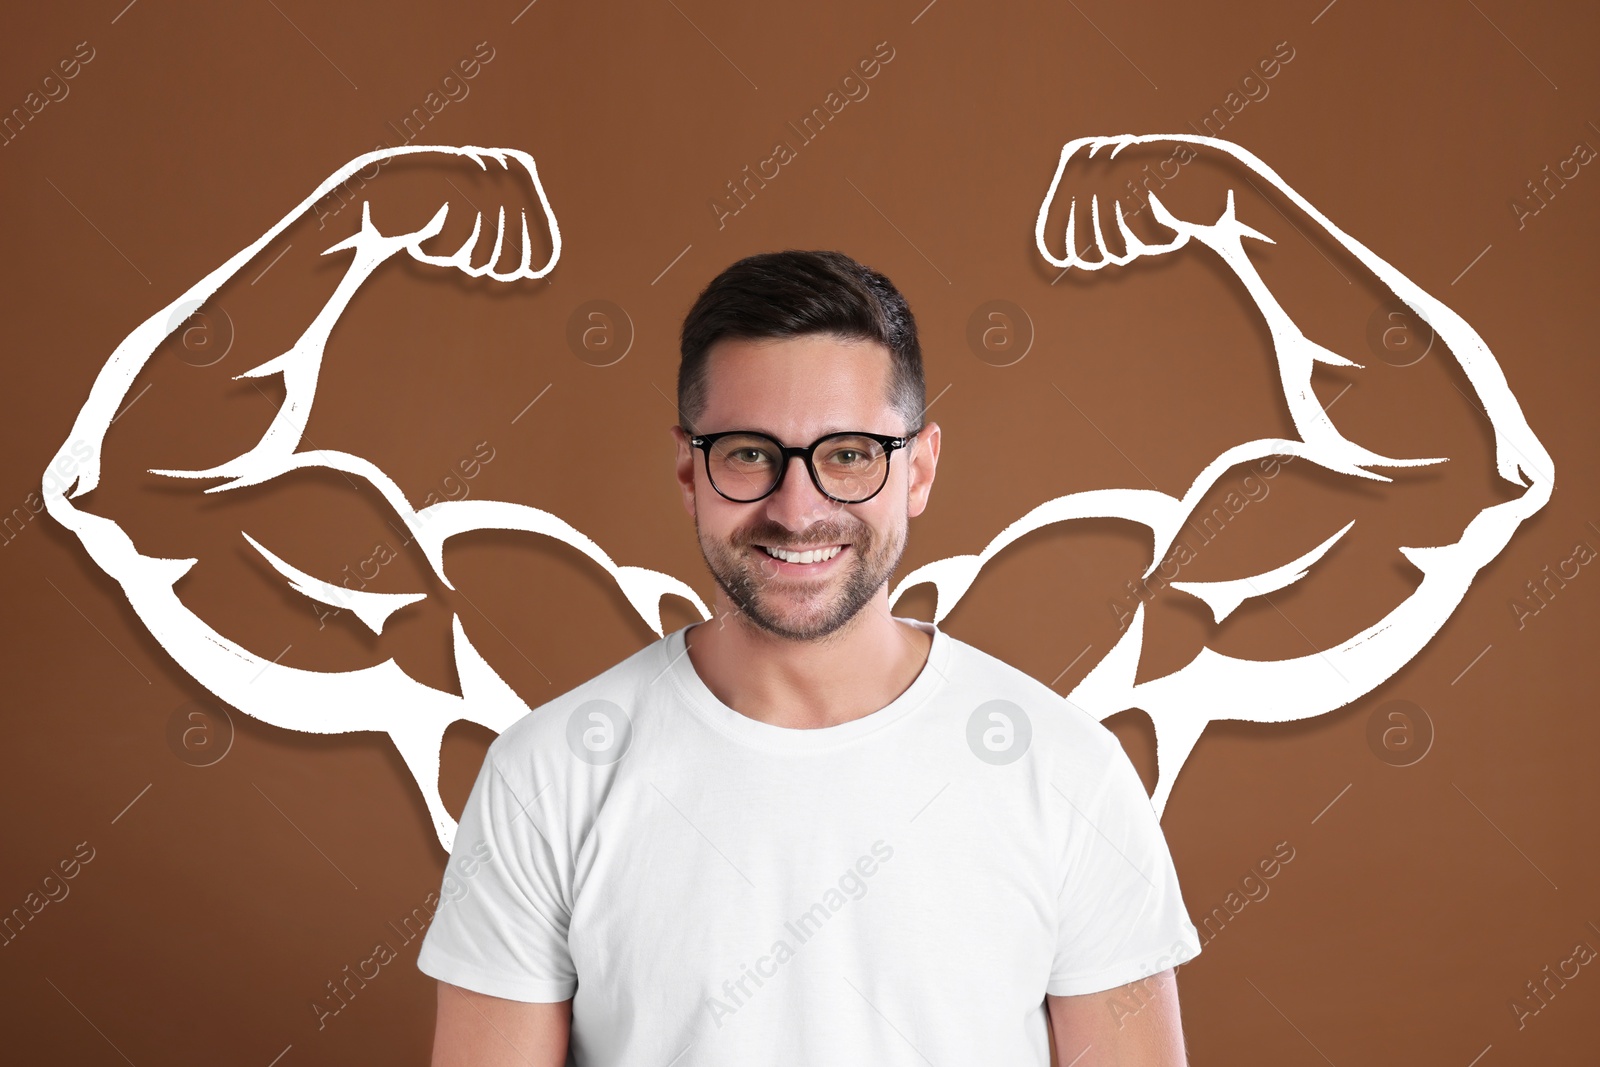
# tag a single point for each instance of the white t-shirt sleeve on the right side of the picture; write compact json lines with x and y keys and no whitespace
{"x":1122,"y":916}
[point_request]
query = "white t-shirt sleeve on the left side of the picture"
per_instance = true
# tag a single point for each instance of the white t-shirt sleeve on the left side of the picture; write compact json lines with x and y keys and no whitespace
{"x":503,"y":914}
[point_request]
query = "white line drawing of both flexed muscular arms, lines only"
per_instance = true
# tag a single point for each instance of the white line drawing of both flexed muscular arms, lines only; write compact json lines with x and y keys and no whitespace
{"x":383,"y":698}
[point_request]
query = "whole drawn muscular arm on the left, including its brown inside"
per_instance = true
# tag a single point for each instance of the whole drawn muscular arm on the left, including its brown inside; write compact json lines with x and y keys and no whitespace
{"x":169,"y":444}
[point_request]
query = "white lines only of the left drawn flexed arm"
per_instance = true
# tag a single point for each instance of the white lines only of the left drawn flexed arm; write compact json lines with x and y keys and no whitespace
{"x":380,"y":698}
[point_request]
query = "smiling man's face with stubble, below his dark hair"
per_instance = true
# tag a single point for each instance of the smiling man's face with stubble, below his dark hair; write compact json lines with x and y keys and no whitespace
{"x":798,"y":391}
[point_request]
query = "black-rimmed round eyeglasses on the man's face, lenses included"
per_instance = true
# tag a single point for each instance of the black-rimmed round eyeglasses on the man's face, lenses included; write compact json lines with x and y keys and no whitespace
{"x":850,"y":468}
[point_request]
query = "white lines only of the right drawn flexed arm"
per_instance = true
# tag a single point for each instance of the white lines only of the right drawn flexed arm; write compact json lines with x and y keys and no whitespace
{"x":1215,"y":687}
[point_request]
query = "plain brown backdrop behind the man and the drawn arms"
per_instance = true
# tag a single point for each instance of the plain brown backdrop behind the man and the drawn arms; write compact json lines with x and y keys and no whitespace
{"x":222,"y":900}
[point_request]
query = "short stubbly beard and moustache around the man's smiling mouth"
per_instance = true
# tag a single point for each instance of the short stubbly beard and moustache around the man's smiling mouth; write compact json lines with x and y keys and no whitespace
{"x":799,"y":609}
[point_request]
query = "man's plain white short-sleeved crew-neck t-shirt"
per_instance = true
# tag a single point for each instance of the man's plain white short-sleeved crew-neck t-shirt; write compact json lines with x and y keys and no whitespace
{"x":903,"y":889}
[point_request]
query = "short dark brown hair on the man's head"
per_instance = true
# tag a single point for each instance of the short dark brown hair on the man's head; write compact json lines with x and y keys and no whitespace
{"x":794,"y":294}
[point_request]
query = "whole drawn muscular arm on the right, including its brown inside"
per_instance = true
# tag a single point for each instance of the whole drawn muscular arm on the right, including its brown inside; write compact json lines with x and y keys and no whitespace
{"x":1383,"y":518}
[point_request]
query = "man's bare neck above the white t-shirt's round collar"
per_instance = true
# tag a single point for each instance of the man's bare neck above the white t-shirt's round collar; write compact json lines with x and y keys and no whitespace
{"x":807,"y":685}
